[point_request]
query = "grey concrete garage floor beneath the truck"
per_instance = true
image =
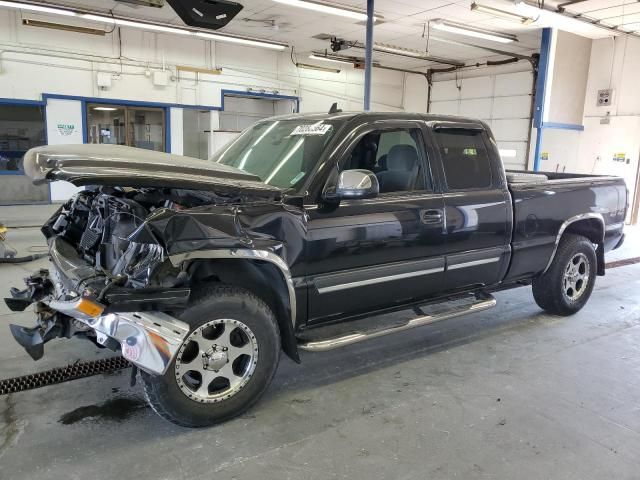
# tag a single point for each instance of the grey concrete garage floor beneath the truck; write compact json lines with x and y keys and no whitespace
{"x":507,"y":393}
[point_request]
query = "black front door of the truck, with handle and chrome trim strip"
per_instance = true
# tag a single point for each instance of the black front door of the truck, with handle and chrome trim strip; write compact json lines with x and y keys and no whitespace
{"x":376,"y":253}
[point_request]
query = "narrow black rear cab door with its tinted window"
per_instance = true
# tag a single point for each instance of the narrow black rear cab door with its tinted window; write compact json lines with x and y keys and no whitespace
{"x":477,"y":207}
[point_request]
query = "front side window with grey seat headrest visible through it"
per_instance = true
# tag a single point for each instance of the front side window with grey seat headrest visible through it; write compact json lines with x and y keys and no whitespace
{"x":395,"y":156}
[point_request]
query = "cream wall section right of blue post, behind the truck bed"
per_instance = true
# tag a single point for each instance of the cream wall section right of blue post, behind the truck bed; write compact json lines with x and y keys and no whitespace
{"x":611,"y":132}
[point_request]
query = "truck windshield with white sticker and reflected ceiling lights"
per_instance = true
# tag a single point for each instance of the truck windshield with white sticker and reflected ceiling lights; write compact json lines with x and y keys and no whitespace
{"x":281,"y":152}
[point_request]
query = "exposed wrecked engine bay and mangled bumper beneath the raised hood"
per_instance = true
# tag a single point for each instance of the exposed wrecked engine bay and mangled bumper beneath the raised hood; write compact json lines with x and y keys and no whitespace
{"x":109,"y":283}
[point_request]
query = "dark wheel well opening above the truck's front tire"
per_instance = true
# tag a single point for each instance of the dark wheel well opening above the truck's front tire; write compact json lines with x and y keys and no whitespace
{"x":261,"y":278}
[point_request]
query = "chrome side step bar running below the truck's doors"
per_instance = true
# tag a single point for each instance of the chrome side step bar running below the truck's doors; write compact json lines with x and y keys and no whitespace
{"x":484,"y":303}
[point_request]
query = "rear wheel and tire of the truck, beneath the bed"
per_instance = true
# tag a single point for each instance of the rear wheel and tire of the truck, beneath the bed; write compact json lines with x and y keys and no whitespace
{"x":565,"y":295}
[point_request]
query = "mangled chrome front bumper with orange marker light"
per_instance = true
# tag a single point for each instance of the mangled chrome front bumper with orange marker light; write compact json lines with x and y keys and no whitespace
{"x":129,"y":320}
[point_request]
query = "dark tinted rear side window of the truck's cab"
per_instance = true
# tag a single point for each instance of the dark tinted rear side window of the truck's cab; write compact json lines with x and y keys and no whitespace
{"x":465,"y":159}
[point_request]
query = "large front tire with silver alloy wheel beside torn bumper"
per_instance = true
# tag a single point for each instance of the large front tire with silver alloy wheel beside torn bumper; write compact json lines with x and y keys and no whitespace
{"x":177,"y":395}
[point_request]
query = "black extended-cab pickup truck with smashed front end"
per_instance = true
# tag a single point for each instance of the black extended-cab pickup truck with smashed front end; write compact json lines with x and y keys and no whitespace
{"x":200,"y":273}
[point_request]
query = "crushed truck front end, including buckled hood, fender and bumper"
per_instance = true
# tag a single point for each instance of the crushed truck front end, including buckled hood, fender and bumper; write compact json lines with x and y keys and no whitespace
{"x":120,"y":249}
